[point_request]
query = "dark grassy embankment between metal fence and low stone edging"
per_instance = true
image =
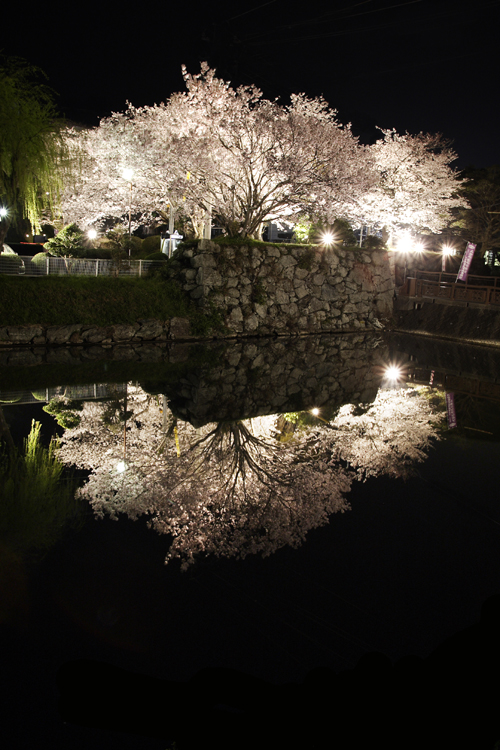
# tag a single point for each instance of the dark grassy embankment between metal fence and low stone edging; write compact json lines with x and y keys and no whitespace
{"x":99,"y":301}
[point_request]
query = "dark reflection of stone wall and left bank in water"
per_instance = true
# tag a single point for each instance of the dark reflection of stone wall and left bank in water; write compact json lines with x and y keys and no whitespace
{"x":217,"y":380}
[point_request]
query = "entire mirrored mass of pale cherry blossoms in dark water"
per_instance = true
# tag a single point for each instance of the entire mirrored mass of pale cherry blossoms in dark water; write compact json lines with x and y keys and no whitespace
{"x":235,"y":489}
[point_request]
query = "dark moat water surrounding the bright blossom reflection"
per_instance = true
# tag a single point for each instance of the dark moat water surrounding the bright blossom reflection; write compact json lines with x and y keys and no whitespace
{"x":409,"y":566}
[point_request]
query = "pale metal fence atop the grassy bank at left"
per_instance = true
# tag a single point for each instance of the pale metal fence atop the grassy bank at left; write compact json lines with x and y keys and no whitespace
{"x":21,"y":265}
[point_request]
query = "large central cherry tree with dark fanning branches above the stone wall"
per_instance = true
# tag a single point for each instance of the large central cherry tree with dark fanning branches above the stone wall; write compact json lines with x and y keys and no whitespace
{"x":251,"y":160}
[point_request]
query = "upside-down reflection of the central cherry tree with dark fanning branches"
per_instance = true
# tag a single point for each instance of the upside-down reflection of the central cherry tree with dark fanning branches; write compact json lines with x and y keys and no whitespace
{"x":238,"y":494}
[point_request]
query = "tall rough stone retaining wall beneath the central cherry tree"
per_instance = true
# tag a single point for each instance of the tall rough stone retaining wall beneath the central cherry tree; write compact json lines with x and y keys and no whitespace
{"x":289,"y":289}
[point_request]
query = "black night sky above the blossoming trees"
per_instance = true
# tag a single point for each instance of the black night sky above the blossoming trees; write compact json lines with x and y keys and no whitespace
{"x":413,"y":65}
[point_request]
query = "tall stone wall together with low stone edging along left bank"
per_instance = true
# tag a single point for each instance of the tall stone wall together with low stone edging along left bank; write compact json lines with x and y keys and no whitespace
{"x":259,"y":290}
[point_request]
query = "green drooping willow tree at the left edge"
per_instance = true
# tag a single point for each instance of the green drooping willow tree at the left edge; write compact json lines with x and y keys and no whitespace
{"x":33,"y":156}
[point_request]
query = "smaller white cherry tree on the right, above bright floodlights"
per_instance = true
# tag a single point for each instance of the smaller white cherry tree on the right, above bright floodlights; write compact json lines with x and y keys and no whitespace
{"x":416,"y":186}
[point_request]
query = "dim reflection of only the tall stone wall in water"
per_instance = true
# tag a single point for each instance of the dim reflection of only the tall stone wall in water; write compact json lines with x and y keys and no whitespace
{"x":253,"y":378}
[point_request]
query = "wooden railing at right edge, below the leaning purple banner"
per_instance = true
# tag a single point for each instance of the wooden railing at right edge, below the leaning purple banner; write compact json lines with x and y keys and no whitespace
{"x":444,"y":287}
